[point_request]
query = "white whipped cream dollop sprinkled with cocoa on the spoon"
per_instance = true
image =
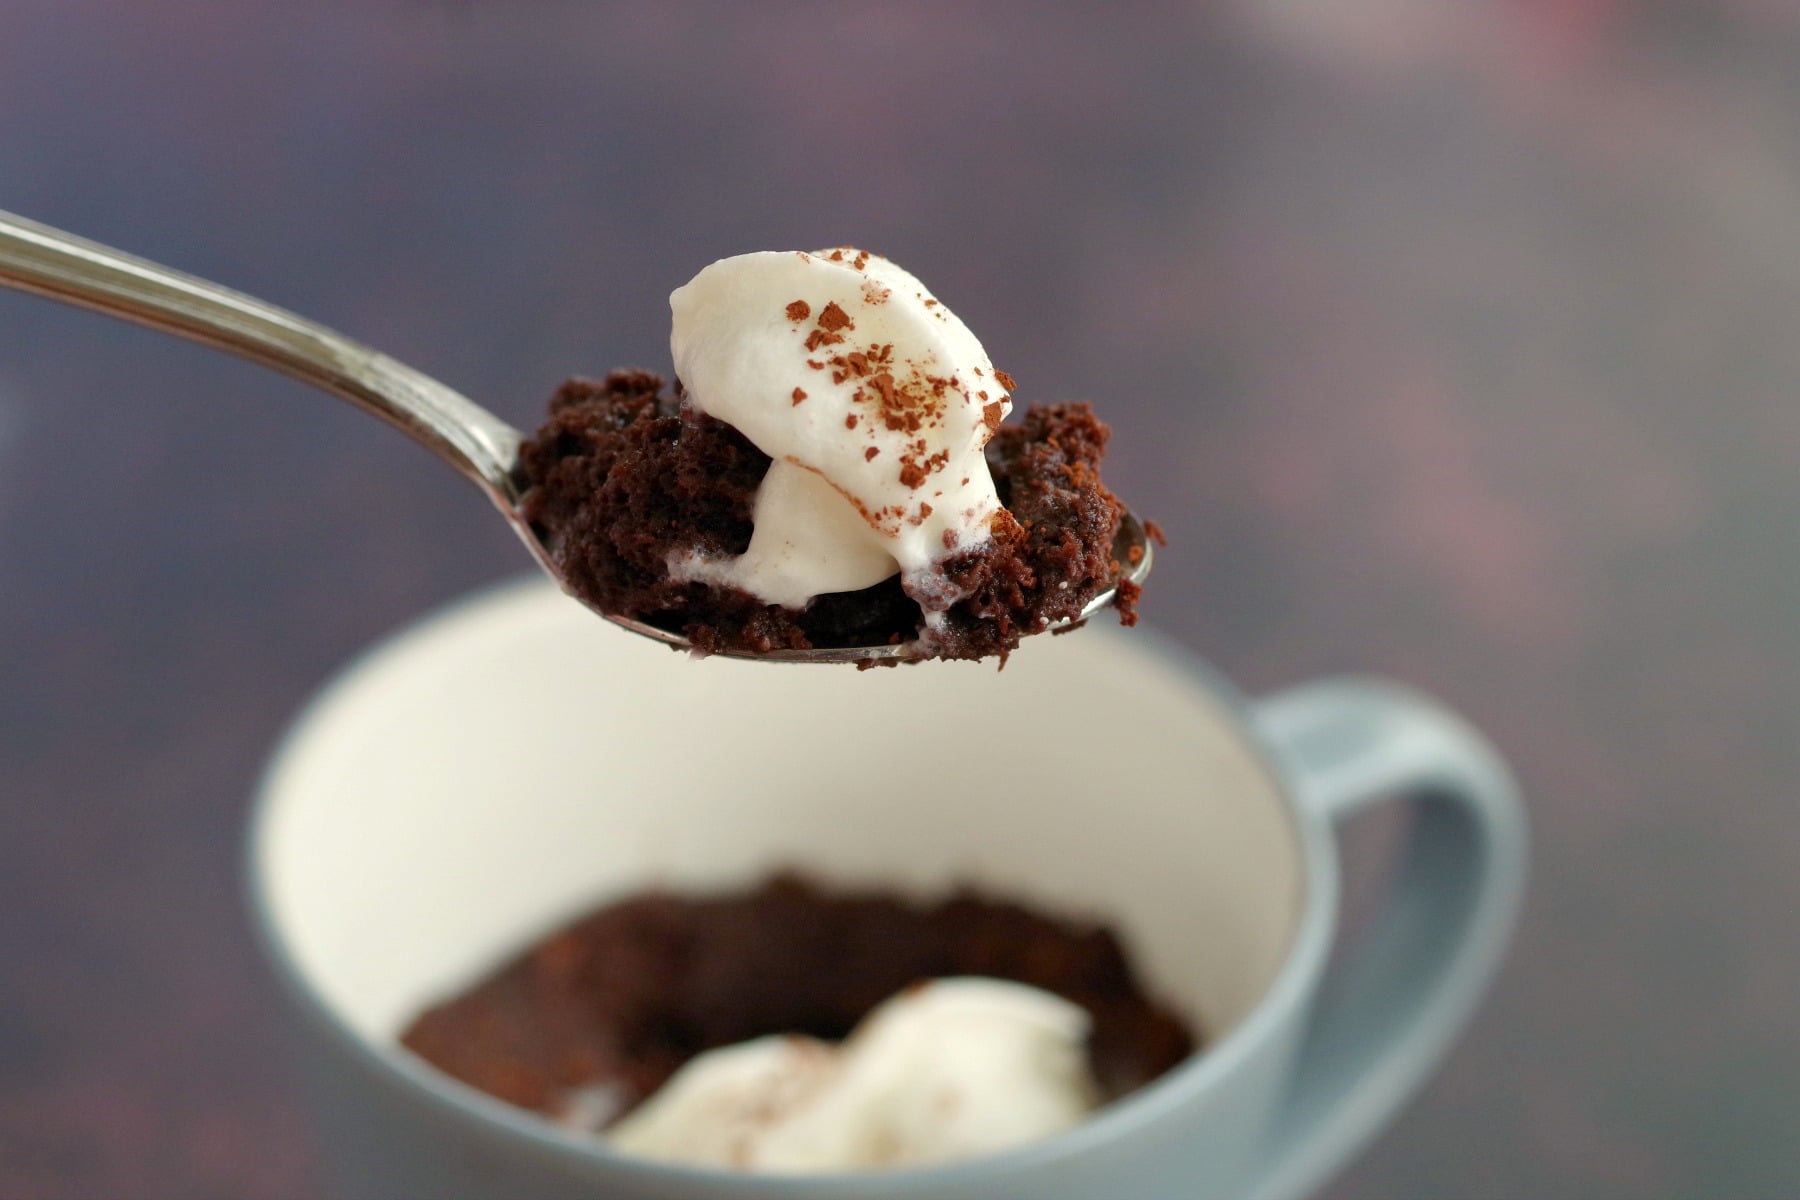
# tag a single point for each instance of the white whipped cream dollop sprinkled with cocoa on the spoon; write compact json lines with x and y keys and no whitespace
{"x":872,"y":399}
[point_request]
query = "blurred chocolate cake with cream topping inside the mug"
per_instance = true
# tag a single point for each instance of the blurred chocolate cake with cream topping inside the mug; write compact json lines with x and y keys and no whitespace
{"x":796,"y":1030}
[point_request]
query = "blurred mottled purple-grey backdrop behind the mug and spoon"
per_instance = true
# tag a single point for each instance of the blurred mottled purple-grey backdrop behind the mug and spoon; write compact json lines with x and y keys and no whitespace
{"x":1450,"y":341}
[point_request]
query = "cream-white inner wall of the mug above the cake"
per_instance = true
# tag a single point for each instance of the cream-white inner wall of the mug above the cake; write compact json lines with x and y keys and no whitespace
{"x":505,"y":767}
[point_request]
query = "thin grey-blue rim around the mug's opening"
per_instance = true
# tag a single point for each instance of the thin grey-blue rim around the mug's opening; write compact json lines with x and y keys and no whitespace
{"x":451,"y":1098}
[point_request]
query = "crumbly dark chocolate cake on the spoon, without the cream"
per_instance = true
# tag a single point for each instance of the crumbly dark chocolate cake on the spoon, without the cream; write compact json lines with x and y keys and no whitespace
{"x":622,"y":476}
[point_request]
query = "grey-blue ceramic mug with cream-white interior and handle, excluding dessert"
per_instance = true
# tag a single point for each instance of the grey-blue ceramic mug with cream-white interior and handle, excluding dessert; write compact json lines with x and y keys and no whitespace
{"x":510,"y":764}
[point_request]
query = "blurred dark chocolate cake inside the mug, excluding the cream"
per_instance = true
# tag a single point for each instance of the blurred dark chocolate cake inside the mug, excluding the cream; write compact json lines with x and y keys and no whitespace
{"x":618,"y":1001}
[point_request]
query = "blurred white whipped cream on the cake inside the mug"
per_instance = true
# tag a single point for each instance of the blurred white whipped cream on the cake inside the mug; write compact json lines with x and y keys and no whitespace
{"x":949,"y":1070}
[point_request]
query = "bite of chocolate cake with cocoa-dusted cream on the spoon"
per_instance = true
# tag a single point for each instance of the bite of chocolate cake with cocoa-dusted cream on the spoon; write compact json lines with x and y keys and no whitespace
{"x":829,"y":470}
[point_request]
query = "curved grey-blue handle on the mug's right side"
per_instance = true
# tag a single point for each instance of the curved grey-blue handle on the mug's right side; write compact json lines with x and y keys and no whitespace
{"x":1387,"y":1012}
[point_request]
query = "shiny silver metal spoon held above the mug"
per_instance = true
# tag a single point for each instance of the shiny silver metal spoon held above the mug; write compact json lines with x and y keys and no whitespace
{"x":485,"y":449}
